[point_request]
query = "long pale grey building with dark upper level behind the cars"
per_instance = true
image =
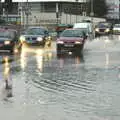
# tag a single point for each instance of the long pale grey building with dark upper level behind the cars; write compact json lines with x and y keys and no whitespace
{"x":47,"y":11}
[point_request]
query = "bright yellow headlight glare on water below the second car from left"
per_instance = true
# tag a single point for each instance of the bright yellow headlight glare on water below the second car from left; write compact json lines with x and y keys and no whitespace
{"x":39,"y":54}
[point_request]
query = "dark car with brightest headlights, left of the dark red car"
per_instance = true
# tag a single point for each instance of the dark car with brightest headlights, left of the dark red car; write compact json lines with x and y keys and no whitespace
{"x":36,"y":36}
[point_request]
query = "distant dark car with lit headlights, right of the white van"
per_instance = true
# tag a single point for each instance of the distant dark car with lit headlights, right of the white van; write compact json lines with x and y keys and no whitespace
{"x":103,"y":28}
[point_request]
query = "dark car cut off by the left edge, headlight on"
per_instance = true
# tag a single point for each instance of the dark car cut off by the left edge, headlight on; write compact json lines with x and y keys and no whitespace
{"x":8,"y":39}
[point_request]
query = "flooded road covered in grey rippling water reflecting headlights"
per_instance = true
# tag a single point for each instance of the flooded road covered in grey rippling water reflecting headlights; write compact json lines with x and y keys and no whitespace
{"x":44,"y":87}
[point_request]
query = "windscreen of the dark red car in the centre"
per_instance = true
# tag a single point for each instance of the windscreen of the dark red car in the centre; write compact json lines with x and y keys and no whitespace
{"x":72,"y":33}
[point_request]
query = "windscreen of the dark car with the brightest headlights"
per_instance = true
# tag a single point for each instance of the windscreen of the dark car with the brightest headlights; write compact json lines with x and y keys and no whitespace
{"x":35,"y":31}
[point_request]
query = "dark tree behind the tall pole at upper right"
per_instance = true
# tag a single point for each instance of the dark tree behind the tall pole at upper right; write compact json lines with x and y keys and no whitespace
{"x":100,"y":8}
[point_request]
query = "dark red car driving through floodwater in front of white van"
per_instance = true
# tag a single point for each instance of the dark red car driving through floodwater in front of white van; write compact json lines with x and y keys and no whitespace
{"x":71,"y":40}
